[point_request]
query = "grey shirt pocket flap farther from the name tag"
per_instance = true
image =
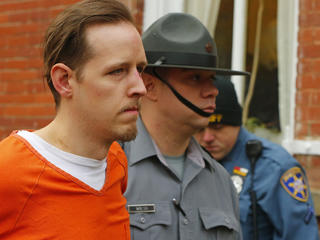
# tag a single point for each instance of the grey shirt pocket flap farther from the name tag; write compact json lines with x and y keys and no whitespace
{"x":213,"y":217}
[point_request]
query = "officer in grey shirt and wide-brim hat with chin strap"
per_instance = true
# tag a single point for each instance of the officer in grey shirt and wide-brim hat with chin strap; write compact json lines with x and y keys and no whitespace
{"x":176,"y":190}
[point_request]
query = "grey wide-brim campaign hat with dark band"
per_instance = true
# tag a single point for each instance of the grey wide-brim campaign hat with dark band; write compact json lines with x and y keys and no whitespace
{"x":179,"y":40}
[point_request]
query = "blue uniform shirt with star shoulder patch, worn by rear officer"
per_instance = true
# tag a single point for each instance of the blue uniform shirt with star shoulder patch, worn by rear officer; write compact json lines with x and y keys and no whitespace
{"x":285,"y":207}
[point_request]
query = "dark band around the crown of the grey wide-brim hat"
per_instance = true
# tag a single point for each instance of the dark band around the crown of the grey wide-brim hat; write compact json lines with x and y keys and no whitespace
{"x":182,"y":59}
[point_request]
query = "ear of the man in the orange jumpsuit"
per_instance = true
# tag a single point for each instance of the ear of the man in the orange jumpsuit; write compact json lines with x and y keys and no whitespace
{"x":60,"y":75}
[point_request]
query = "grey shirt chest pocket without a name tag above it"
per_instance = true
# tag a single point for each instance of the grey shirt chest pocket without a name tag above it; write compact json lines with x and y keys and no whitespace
{"x":219,"y":224}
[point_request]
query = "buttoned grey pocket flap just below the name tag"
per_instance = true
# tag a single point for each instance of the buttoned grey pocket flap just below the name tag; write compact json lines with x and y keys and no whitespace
{"x":161,"y":216}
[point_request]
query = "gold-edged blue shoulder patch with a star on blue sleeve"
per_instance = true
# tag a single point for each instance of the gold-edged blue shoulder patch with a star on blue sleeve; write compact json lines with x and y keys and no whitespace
{"x":293,"y":181}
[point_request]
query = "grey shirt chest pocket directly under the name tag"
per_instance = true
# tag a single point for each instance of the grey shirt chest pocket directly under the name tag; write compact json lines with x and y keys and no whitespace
{"x":149,"y":226}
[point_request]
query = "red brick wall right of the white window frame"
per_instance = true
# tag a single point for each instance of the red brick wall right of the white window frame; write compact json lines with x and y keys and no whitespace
{"x":308,"y":90}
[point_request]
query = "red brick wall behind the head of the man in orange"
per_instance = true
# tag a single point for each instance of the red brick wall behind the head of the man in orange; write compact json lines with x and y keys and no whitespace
{"x":25,"y":101}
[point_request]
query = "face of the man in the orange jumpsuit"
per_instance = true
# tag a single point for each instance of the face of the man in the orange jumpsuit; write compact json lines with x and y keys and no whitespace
{"x":105,"y":98}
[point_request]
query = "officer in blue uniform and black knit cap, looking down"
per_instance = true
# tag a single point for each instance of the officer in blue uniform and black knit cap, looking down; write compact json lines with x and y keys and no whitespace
{"x":275,"y":200}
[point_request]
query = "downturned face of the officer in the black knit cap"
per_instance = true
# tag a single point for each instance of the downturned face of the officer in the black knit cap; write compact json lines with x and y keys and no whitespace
{"x":218,"y":139}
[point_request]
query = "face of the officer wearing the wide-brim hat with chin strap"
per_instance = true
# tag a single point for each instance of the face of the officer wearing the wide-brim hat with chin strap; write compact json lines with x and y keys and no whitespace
{"x":197,"y":86}
